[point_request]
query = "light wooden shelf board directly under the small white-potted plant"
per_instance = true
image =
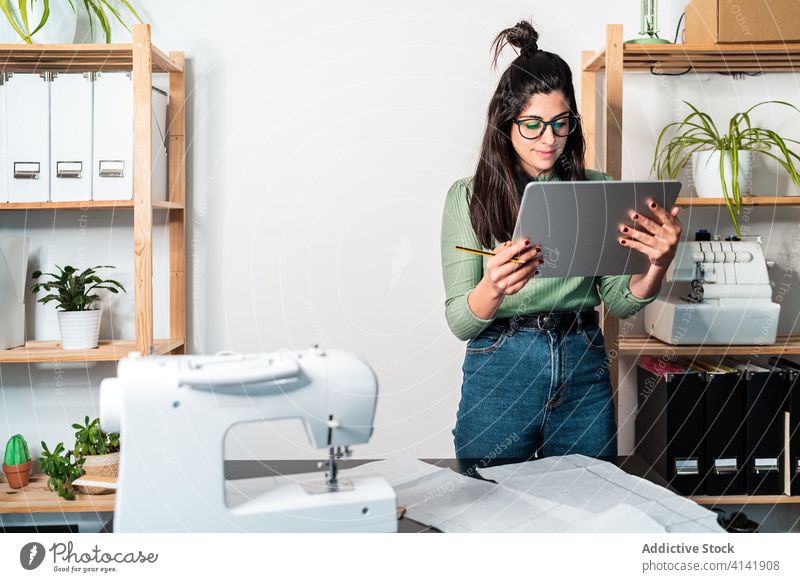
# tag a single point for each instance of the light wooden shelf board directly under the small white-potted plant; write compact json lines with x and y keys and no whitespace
{"x":107,"y":351}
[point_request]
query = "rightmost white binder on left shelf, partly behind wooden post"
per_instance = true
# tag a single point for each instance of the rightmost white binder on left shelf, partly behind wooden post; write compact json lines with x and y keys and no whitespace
{"x":112,"y":164}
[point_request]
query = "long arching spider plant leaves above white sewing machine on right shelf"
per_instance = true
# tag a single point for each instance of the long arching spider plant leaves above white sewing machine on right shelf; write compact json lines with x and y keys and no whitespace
{"x":697,"y":132}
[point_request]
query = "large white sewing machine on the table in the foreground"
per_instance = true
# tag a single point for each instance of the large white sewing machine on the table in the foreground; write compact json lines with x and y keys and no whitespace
{"x":173,"y":413}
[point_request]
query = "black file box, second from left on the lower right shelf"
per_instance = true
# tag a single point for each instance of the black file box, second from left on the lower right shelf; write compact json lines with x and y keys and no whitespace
{"x":724,"y":434}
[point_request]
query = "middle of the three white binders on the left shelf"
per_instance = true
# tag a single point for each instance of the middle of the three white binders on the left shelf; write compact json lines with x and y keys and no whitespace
{"x":71,"y":137}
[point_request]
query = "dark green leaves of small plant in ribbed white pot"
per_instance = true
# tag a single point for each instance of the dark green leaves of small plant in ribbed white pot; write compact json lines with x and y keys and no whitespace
{"x":74,"y":291}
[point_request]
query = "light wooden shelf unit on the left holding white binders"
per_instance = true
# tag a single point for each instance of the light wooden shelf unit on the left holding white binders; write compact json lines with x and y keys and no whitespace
{"x":142,"y":59}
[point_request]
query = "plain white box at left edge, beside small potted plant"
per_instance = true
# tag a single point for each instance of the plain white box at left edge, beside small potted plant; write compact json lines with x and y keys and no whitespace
{"x":13,"y":274}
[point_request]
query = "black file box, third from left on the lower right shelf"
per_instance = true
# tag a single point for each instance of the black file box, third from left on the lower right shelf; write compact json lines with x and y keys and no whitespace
{"x":767,"y":399}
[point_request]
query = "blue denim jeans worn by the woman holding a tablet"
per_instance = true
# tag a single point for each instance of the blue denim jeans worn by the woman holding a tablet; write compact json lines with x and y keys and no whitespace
{"x":531,"y":393}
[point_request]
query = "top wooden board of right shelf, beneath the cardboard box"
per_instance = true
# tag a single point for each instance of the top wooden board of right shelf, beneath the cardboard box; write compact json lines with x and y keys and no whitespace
{"x":721,"y":58}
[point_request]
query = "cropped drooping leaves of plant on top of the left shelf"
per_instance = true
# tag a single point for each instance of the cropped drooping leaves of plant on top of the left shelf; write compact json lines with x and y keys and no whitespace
{"x":100,"y":10}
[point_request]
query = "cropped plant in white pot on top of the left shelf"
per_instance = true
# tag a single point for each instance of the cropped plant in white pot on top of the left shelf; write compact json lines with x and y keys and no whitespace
{"x":27,"y":20}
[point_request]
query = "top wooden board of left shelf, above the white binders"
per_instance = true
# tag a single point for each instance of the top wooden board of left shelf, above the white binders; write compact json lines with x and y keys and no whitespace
{"x":34,"y":58}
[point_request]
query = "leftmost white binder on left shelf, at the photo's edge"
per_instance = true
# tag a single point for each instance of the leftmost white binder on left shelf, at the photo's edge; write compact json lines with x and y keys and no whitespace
{"x":25,"y":129}
